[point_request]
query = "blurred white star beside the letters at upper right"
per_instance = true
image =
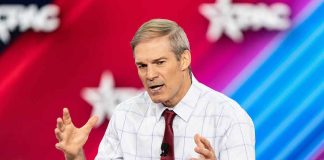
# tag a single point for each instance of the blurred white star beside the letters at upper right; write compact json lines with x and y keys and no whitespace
{"x":221,"y":20}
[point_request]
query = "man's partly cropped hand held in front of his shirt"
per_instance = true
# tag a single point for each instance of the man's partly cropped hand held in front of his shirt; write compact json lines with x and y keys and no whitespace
{"x":204,"y":149}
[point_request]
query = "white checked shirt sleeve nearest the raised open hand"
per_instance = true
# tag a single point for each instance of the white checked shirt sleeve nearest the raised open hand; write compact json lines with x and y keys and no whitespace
{"x":109,"y":147}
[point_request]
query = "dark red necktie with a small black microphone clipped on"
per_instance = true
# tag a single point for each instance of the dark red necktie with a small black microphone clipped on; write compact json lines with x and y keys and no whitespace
{"x":167,"y":147}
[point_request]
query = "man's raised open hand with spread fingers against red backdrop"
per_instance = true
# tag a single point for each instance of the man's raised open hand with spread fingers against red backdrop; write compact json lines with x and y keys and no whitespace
{"x":71,"y":139}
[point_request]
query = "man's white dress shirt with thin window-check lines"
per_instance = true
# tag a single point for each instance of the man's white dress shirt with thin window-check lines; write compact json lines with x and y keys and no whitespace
{"x":136,"y":129}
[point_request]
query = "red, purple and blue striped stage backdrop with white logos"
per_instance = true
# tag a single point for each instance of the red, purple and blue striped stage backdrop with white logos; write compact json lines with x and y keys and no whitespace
{"x":76,"y":53}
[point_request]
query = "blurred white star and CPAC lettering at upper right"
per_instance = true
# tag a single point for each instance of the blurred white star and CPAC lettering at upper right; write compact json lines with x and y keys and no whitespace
{"x":232,"y":19}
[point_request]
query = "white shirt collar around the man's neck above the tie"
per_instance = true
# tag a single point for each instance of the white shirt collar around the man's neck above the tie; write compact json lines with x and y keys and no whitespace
{"x":186,"y":105}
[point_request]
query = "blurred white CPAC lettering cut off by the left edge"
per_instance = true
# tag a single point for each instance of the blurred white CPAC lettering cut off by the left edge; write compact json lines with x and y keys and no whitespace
{"x":22,"y":17}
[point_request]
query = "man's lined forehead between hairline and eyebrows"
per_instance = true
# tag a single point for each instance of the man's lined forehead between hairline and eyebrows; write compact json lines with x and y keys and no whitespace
{"x":153,"y":49}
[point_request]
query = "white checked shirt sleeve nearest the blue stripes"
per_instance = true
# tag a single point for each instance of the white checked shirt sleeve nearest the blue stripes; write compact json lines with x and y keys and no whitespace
{"x":239,"y":142}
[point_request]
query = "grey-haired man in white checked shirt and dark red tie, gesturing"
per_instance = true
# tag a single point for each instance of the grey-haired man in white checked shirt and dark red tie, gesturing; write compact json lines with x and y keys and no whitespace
{"x":176,"y":118}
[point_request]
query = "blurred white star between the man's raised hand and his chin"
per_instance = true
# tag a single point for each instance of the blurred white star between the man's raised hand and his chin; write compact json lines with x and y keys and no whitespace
{"x":106,"y":97}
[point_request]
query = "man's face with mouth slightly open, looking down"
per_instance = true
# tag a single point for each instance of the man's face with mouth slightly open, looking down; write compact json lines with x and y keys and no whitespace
{"x":162,"y":75}
